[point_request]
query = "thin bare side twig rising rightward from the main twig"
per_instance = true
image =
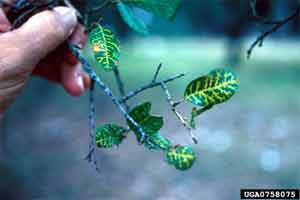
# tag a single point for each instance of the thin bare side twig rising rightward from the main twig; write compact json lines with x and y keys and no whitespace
{"x":148,"y":86}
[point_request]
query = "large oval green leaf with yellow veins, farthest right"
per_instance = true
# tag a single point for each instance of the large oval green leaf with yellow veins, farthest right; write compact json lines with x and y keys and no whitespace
{"x":216,"y":87}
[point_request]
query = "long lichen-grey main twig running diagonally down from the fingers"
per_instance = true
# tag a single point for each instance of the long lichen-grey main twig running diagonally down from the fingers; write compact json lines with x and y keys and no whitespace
{"x":106,"y":90}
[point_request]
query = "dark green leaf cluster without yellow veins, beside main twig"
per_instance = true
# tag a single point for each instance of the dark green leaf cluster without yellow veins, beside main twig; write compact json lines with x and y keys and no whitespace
{"x":150,"y":124}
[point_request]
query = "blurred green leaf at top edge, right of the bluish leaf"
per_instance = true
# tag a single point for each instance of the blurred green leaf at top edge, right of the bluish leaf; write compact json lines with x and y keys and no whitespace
{"x":162,"y":8}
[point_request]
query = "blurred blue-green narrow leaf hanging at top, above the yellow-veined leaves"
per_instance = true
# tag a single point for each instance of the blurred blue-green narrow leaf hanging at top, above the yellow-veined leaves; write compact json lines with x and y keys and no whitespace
{"x":129,"y":18}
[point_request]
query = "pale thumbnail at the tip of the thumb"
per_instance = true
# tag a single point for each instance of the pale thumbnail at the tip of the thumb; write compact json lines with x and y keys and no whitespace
{"x":67,"y":17}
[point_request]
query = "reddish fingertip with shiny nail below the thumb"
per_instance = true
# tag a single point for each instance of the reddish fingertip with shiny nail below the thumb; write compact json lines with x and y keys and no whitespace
{"x":72,"y":79}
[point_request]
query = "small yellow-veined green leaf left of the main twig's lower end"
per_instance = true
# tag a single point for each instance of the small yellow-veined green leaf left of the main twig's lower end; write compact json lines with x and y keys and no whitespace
{"x":109,"y":135}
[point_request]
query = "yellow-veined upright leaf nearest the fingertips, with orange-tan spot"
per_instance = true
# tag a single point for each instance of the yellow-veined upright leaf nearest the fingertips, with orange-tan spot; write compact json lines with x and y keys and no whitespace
{"x":105,"y":46}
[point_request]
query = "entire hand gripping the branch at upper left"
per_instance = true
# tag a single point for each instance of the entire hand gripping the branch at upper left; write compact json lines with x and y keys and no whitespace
{"x":38,"y":48}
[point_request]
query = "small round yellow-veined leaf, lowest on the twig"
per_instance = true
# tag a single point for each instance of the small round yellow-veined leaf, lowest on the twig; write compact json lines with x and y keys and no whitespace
{"x":181,"y":157}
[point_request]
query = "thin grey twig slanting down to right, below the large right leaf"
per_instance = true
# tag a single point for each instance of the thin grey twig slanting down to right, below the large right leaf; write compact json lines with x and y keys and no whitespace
{"x":177,"y":113}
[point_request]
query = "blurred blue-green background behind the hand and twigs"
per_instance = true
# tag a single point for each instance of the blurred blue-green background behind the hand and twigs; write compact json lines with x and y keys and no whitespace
{"x":249,"y":142}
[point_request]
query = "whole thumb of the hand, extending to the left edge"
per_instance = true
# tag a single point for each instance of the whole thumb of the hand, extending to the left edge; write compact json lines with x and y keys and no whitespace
{"x":23,"y":48}
